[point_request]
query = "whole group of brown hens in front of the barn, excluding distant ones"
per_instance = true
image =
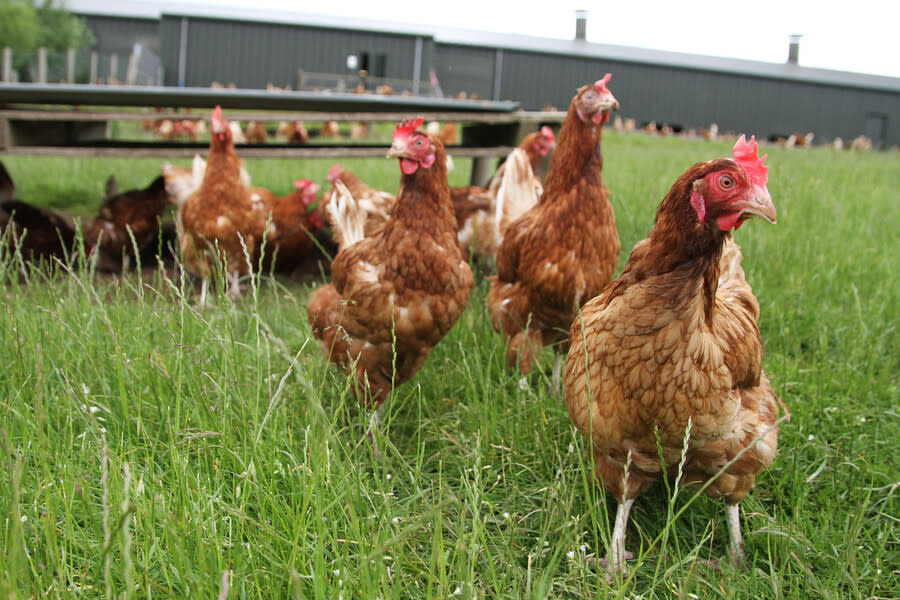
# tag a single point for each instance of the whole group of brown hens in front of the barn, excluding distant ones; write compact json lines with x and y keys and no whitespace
{"x":664,"y":372}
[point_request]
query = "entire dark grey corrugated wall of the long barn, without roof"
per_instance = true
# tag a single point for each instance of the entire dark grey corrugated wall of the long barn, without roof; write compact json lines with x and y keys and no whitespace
{"x":253,"y":54}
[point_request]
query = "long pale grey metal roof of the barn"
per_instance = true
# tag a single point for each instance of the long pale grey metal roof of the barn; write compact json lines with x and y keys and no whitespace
{"x":483,"y":39}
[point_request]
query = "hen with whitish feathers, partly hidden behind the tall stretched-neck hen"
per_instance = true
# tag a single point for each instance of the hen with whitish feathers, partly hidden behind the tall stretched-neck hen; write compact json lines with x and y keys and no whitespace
{"x":482,"y":215}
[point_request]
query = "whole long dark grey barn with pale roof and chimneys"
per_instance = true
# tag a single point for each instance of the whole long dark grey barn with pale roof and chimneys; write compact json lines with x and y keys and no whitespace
{"x":255,"y":49}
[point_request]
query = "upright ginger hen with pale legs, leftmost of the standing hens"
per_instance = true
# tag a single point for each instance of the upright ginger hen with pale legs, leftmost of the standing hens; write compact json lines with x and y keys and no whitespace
{"x":223,"y":220}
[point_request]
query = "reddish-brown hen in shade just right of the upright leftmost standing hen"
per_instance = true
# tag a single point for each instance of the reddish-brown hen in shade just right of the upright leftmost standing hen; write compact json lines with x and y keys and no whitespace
{"x":294,"y":234}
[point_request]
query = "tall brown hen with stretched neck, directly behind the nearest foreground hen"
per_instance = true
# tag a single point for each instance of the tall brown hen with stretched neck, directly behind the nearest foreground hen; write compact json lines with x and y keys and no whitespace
{"x":565,"y":249}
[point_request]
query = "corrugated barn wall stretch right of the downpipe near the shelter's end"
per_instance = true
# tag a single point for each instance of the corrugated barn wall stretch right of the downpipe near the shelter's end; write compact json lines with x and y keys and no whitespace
{"x":689,"y":98}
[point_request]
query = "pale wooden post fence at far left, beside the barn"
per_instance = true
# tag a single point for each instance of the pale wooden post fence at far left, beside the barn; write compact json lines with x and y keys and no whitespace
{"x":141,"y":67}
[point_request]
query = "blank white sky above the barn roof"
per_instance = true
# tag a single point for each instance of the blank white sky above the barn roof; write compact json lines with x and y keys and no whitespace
{"x":860,"y":36}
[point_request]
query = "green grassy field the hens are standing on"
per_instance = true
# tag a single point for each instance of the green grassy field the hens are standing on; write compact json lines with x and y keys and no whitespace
{"x":153,"y":450}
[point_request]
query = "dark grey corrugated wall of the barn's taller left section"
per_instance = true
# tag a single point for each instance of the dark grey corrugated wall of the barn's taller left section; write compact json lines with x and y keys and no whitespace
{"x":253,"y":55}
